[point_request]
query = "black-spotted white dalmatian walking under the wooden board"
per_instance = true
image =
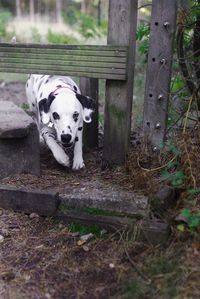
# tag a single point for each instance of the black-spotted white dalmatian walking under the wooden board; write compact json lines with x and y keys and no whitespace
{"x":60,"y":110}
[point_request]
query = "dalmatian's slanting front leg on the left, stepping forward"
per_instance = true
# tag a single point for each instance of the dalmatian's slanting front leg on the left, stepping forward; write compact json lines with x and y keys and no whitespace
{"x":50,"y":139}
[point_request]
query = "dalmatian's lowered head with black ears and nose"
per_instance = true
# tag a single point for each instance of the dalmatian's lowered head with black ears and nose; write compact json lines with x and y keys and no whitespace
{"x":67,"y":111}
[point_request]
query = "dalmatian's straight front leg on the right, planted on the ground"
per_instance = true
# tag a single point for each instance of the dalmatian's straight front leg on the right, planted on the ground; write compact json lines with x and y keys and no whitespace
{"x":78,"y":162}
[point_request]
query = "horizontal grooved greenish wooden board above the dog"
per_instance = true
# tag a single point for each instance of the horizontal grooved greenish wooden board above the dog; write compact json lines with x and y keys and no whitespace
{"x":82,"y":61}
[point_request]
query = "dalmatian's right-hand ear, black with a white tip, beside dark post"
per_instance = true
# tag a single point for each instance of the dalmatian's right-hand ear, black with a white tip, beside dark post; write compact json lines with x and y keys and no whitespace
{"x":88,"y":107}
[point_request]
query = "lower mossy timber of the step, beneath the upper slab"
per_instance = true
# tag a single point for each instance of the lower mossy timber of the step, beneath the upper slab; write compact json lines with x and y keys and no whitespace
{"x":150,"y":231}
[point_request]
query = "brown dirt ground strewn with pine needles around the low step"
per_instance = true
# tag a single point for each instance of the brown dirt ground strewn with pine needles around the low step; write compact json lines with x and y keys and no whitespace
{"x":40,"y":258}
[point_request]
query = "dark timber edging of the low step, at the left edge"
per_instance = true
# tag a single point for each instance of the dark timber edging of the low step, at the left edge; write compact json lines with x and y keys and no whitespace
{"x":40,"y":202}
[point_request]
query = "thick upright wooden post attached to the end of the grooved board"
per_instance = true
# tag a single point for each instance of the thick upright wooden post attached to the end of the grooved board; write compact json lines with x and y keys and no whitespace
{"x":119,"y":95}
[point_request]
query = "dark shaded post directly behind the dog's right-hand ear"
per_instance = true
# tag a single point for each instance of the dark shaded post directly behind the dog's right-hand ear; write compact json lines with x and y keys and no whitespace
{"x":89,"y":87}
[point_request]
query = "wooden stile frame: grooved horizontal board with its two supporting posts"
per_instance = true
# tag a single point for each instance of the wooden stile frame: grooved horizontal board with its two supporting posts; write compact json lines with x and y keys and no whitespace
{"x":114,"y":63}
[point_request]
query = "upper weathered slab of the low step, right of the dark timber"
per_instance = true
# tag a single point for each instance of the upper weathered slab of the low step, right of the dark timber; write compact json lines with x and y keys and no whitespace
{"x":111,"y":198}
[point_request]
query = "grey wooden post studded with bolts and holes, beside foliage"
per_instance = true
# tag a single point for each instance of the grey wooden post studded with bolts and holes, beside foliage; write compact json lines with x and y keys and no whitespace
{"x":157,"y":89}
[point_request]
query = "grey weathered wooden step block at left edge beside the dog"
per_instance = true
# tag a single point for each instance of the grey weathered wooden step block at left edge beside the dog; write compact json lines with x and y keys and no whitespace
{"x":19,"y":142}
